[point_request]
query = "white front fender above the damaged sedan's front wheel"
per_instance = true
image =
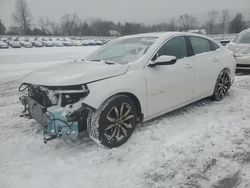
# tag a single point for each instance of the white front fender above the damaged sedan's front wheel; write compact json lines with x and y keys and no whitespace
{"x":131,"y":82}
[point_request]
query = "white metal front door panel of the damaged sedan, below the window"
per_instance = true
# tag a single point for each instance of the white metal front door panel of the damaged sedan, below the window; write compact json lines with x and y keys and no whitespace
{"x":167,"y":84}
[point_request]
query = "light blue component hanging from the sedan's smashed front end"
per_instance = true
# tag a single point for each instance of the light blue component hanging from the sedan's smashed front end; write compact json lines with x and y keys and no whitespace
{"x":57,"y":125}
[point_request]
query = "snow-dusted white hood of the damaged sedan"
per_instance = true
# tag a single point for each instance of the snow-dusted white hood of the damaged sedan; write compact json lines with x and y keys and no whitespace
{"x":74,"y":73}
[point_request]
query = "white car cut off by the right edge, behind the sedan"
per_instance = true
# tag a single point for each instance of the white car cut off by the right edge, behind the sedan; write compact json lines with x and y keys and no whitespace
{"x":241,"y":48}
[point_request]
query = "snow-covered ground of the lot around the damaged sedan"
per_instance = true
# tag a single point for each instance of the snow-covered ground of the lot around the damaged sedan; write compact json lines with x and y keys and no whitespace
{"x":206,"y":144}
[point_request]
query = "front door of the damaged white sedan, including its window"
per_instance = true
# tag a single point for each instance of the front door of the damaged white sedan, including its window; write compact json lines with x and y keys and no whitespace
{"x":170,"y":86}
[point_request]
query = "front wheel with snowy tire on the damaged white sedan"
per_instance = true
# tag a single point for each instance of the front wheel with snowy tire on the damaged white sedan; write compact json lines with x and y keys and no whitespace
{"x":114,"y":122}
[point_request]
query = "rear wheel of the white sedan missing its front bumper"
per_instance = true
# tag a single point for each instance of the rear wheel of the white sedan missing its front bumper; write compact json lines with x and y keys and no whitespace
{"x":222,"y":86}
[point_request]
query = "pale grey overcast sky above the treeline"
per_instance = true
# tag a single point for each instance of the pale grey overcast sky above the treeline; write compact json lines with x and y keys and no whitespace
{"x":143,"y":11}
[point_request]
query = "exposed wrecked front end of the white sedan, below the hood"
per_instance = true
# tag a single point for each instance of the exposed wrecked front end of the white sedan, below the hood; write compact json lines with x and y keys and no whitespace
{"x":60,"y":110}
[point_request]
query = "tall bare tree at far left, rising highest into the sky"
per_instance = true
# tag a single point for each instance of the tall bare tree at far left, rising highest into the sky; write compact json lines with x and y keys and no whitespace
{"x":22,"y":16}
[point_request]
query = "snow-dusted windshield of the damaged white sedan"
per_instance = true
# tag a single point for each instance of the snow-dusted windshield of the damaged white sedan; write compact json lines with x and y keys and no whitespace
{"x":123,"y":51}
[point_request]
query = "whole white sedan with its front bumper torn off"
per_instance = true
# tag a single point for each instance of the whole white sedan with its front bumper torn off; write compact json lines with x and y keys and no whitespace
{"x":129,"y":80}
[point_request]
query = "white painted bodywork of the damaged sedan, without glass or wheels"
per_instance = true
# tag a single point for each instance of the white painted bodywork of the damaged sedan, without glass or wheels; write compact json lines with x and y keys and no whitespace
{"x":159,"y":89}
